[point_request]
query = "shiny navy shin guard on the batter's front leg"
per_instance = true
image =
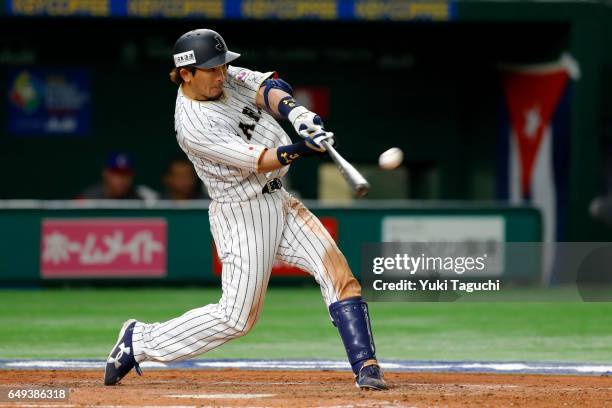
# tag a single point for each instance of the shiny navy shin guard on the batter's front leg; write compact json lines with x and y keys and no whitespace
{"x":351,"y":318}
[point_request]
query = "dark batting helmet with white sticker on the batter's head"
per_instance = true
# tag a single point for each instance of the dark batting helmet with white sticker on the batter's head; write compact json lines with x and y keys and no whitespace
{"x":201,"y":49}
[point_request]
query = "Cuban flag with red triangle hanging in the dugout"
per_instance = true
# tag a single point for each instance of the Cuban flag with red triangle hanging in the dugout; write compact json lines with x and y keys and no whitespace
{"x":534,"y":143}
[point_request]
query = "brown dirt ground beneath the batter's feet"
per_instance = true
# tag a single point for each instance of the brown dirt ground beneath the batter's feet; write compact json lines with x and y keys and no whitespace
{"x":239,"y":388}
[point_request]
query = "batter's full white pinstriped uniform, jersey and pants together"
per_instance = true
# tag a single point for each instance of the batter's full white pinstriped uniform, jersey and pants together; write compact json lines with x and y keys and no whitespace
{"x":224,"y":140}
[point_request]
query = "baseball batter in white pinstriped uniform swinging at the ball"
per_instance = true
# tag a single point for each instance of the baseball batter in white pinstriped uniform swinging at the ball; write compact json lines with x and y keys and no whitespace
{"x":224,"y":123}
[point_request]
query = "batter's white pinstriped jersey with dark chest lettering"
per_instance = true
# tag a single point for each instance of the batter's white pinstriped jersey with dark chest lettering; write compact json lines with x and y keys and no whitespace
{"x":225,"y":138}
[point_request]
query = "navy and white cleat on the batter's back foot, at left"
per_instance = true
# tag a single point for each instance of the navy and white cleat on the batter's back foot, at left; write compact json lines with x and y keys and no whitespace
{"x":121,"y":358}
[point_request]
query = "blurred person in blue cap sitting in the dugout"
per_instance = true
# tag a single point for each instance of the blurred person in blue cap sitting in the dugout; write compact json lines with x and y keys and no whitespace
{"x":118,"y":181}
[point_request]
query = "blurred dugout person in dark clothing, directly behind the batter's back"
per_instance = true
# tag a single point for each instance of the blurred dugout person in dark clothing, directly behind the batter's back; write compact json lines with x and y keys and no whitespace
{"x":181,"y":182}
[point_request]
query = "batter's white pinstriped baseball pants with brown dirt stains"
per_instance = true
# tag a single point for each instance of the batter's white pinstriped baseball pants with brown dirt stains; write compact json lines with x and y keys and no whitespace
{"x":249,"y":236}
